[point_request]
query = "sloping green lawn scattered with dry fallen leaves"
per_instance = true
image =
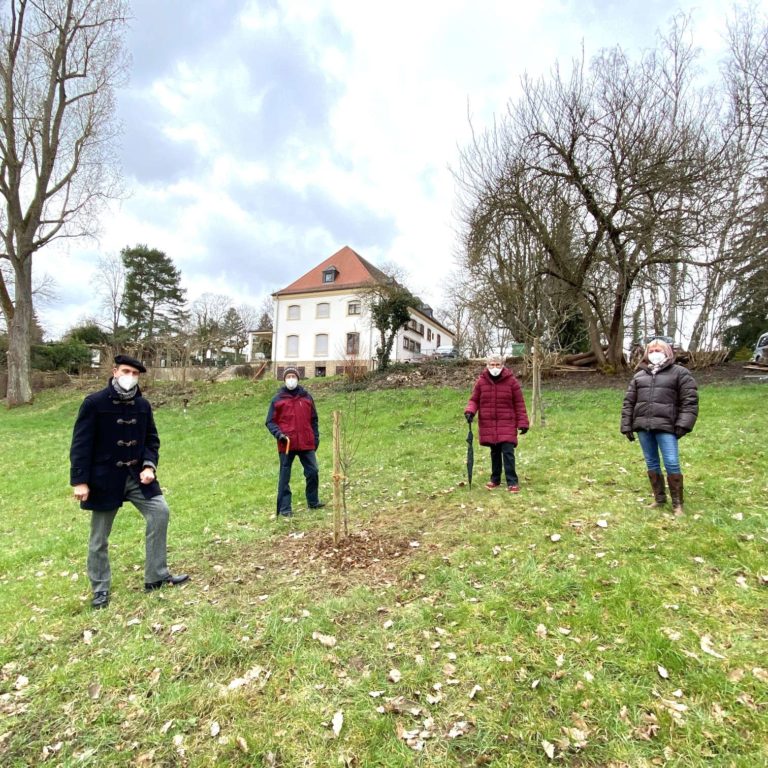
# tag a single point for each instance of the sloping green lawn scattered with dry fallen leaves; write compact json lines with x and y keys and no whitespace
{"x":454,"y":627}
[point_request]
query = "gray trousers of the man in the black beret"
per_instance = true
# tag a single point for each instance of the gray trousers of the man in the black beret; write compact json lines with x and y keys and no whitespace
{"x":156,"y":512}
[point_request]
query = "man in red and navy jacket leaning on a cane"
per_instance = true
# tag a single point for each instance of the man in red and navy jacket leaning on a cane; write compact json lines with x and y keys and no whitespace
{"x":292,"y":421}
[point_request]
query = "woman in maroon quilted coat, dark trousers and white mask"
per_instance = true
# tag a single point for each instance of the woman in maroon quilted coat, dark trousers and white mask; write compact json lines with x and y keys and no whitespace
{"x":498,"y":398}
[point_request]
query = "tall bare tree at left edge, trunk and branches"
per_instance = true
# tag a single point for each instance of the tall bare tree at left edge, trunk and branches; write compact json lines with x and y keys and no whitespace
{"x":60,"y":62}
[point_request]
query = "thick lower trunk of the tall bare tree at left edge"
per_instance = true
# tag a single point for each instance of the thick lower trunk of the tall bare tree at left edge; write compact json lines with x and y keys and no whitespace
{"x":19,"y":338}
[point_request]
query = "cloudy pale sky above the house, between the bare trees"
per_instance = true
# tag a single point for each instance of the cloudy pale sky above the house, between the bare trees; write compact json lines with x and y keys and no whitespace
{"x":260,"y":136}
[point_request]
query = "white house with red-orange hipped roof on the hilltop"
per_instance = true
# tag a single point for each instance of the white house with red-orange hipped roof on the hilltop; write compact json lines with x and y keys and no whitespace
{"x":322,"y":324}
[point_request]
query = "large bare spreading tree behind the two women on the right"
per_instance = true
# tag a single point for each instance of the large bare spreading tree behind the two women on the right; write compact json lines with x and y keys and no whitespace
{"x":606,"y":170}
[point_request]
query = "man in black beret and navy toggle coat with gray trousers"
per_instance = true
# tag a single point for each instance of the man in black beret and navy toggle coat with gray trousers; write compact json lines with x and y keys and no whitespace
{"x":113,"y":458}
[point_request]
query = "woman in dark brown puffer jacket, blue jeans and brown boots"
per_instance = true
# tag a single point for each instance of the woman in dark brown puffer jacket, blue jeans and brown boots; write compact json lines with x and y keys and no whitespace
{"x":661,"y":405}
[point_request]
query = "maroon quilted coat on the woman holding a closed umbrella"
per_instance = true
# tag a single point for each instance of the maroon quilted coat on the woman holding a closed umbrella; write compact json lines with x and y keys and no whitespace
{"x":498,"y":401}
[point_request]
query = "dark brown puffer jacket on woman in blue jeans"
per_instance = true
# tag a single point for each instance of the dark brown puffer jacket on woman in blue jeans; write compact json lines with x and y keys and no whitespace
{"x":667,"y":401}
